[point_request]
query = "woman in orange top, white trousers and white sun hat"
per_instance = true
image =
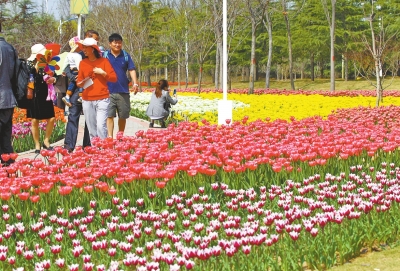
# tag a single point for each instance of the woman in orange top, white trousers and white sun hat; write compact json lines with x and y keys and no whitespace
{"x":94,"y":73}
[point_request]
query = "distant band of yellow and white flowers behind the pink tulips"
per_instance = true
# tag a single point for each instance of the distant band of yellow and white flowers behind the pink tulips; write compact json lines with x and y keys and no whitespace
{"x":274,"y":105}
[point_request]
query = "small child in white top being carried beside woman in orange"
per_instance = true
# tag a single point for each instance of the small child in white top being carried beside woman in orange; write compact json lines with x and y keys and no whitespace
{"x":73,"y":59}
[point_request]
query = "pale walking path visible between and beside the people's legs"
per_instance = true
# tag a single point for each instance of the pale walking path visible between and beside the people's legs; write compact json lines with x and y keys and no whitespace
{"x":132,"y":126}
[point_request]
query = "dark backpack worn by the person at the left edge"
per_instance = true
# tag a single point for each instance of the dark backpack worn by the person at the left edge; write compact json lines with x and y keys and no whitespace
{"x":19,"y":82}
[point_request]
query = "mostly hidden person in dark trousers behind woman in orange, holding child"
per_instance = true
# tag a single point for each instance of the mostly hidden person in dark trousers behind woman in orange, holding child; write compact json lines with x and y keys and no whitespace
{"x":71,"y":133}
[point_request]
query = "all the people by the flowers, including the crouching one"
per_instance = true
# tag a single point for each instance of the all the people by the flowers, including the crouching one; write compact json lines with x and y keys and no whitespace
{"x":96,"y":84}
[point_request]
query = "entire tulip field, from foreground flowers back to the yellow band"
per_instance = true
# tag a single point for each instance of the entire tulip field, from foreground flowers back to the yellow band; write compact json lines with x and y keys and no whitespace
{"x":304,"y":189}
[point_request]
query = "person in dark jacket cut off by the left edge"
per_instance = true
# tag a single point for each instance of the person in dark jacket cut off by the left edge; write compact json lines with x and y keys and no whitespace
{"x":7,"y":99}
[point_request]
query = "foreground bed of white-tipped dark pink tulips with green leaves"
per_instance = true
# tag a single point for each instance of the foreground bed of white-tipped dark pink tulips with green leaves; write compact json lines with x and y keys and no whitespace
{"x":316,"y":222}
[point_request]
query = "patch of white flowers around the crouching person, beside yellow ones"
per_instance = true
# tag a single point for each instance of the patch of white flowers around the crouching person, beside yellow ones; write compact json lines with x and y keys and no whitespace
{"x":186,"y":104}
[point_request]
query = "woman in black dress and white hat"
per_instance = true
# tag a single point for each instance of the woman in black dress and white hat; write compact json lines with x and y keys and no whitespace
{"x":41,"y":108}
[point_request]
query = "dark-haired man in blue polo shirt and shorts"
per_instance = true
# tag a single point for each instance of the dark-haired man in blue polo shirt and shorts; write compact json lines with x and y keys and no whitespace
{"x":120,"y":102}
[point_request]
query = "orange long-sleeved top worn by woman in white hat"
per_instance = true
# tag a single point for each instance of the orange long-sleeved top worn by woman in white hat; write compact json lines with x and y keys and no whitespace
{"x":98,"y":90}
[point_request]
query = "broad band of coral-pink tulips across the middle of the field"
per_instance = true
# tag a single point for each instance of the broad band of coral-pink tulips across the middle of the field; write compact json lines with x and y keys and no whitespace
{"x":230,"y":151}
